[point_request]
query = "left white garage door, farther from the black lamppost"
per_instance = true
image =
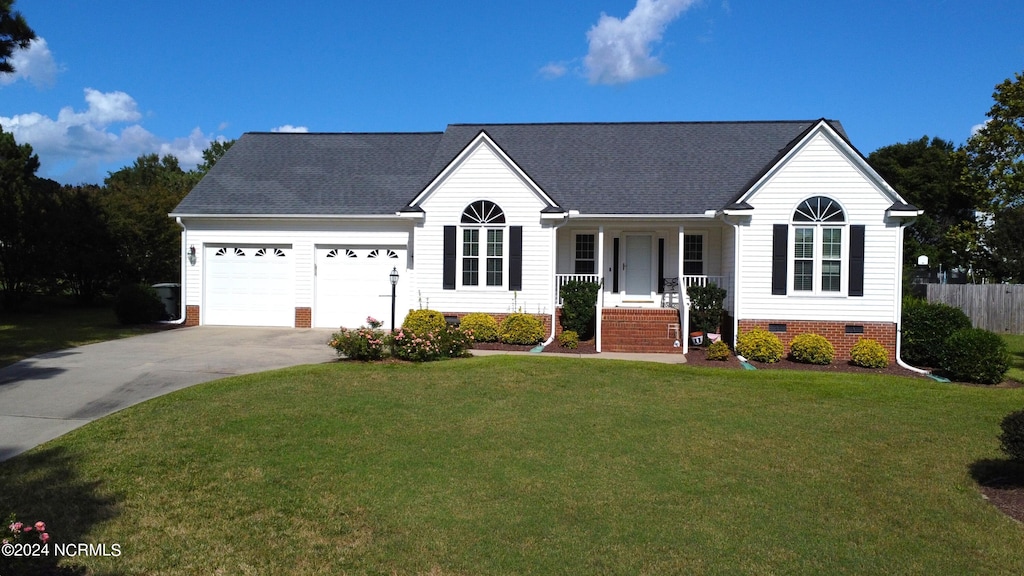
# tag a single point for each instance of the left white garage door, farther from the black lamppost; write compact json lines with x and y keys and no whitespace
{"x":249,"y":286}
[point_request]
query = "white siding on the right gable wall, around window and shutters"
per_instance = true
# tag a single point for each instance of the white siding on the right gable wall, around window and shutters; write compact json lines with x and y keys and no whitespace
{"x":821,"y":168}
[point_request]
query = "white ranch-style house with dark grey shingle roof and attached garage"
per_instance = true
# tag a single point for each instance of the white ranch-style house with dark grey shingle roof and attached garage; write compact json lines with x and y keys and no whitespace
{"x":304,"y":230}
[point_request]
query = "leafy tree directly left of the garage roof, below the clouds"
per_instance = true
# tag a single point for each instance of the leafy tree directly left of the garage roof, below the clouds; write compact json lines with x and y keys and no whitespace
{"x":137,"y":203}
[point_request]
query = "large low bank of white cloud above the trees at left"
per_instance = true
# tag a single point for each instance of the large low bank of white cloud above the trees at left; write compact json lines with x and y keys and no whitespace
{"x":80,"y":147}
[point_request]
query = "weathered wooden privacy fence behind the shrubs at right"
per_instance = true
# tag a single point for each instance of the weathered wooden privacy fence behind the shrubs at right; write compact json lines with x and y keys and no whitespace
{"x":999,"y":308}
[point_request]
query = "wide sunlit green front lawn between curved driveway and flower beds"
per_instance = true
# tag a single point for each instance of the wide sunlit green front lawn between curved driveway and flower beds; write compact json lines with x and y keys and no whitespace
{"x":533,"y":466}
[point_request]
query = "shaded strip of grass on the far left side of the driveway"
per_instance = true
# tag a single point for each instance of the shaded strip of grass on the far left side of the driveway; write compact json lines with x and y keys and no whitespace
{"x":24,"y":336}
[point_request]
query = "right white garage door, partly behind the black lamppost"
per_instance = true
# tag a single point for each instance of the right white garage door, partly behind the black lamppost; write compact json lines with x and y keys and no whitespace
{"x":354,"y":283}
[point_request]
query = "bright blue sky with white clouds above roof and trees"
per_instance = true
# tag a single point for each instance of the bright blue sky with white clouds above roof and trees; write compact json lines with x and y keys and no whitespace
{"x":111,"y":80}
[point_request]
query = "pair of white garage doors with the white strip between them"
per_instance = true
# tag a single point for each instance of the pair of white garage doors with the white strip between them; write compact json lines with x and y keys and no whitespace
{"x":263,"y":285}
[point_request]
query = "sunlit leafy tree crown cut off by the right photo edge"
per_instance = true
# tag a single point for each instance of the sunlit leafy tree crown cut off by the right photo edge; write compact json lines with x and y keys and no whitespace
{"x":996,"y":154}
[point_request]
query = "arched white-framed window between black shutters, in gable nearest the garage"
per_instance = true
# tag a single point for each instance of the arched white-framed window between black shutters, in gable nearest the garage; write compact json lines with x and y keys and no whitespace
{"x":483,"y":239}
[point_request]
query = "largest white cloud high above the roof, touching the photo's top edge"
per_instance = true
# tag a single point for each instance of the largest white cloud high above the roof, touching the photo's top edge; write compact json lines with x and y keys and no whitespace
{"x":620,"y":50}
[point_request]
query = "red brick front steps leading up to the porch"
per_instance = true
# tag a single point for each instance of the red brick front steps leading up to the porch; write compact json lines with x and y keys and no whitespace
{"x":639,"y":331}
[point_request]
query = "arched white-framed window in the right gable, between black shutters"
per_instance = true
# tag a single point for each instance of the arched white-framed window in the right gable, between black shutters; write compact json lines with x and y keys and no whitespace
{"x":820,"y":226}
